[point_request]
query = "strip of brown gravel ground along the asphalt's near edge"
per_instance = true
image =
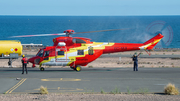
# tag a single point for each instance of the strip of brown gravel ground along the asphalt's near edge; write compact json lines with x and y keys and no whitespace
{"x":88,"y":97}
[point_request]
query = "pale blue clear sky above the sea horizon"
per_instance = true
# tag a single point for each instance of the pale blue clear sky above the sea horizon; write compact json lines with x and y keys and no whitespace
{"x":90,"y":7}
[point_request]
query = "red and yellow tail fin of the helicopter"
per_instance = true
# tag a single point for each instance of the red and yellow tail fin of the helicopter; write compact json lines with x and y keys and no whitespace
{"x":148,"y":45}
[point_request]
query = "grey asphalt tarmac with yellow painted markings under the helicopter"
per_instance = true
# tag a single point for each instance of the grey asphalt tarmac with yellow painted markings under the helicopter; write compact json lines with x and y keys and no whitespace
{"x":60,"y":80}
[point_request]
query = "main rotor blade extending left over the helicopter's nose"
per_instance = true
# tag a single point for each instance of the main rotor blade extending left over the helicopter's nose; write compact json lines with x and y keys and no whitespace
{"x":38,"y":35}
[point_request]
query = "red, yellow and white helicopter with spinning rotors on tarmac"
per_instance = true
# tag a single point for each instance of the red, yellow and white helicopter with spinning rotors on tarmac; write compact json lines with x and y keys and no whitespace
{"x":78,"y":51}
